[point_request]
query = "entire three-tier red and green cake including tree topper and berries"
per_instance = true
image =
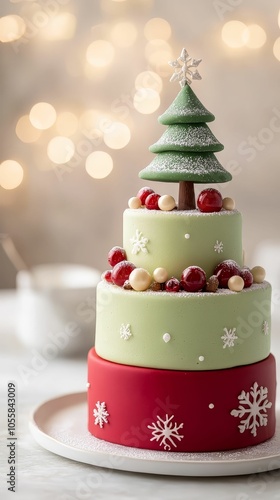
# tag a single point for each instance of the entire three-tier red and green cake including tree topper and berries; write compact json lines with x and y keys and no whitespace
{"x":182,"y":356}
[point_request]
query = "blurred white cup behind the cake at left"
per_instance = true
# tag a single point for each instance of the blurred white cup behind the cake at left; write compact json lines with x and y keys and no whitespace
{"x":56,"y":308}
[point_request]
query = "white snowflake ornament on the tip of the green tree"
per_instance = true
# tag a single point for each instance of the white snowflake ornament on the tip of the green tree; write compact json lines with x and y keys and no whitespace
{"x":185,"y":69}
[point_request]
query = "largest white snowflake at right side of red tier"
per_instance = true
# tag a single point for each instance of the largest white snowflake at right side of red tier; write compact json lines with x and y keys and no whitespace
{"x":254,"y":405}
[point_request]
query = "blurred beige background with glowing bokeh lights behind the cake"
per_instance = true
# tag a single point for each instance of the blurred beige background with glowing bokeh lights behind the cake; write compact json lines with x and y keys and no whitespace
{"x":82,"y":85}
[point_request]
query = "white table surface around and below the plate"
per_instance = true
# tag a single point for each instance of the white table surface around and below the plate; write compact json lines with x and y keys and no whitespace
{"x":43,"y":475}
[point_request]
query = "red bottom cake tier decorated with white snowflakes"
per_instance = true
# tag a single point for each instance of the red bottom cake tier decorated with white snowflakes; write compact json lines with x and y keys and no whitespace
{"x":186,"y":411}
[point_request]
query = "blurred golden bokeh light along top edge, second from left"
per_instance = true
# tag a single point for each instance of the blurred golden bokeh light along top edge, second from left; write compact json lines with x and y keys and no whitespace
{"x":60,"y":27}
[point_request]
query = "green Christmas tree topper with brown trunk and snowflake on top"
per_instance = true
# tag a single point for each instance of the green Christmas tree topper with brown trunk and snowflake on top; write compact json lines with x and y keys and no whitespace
{"x":185,"y":152}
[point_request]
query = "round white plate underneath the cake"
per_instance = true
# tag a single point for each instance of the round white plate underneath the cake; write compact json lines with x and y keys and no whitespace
{"x":60,"y":426}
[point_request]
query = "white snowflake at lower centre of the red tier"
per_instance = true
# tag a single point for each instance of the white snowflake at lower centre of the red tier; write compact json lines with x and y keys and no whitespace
{"x":165,"y":432}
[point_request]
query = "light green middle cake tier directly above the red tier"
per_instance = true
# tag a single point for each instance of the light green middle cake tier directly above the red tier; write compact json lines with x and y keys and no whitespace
{"x":183,"y":331}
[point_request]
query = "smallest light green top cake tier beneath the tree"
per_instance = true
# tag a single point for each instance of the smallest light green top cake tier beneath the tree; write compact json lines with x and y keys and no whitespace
{"x":178,"y":239}
